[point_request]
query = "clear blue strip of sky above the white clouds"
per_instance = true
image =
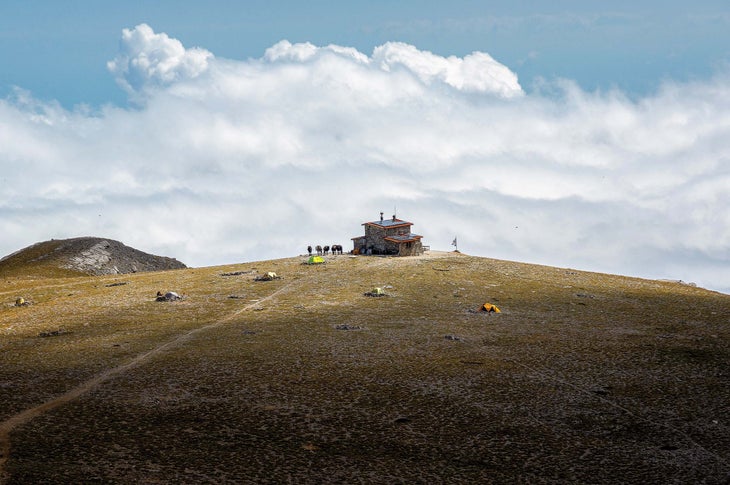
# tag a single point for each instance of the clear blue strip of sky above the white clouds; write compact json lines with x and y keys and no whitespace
{"x":58,"y":50}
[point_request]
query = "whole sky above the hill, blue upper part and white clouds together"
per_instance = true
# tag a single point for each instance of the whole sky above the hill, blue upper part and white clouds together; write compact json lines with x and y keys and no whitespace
{"x":590,"y":135}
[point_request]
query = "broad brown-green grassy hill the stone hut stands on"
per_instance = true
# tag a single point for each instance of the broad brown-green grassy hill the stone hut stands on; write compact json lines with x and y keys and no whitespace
{"x":583,"y":377}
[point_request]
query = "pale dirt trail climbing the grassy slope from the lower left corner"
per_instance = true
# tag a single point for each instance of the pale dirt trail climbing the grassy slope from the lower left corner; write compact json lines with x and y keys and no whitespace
{"x":7,"y":426}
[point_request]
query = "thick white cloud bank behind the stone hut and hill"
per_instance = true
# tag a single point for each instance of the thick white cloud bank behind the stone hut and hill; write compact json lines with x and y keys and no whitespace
{"x":223,"y":160}
